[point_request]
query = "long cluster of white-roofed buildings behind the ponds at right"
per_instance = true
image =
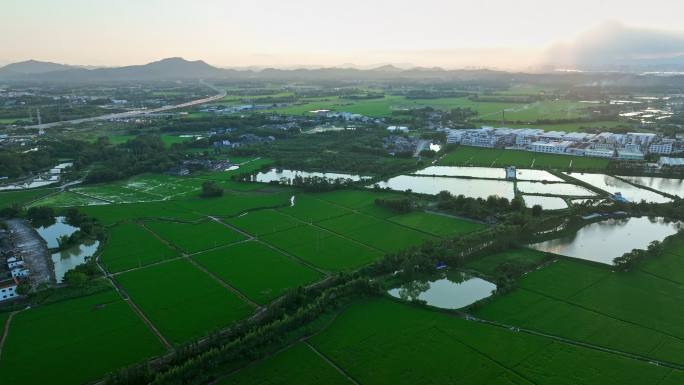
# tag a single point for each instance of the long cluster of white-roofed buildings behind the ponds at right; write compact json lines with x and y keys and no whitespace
{"x":629,"y":146}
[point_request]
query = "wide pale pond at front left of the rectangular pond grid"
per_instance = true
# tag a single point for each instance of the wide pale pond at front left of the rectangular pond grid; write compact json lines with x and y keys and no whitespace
{"x":473,"y":188}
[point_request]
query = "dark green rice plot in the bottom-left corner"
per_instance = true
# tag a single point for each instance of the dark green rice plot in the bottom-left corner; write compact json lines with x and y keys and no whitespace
{"x":75,"y":341}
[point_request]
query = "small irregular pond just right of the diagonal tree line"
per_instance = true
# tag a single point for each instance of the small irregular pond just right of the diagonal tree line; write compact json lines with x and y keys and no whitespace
{"x":450,"y":291}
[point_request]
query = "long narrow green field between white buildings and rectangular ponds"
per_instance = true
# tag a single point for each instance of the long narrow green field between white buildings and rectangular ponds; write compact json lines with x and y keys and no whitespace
{"x":477,"y":156}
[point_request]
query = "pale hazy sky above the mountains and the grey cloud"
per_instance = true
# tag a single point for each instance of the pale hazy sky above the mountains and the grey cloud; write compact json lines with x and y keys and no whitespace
{"x":312,"y":32}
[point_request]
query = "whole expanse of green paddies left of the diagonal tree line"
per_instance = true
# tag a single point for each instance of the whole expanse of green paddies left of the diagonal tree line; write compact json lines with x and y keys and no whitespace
{"x":192,"y":265}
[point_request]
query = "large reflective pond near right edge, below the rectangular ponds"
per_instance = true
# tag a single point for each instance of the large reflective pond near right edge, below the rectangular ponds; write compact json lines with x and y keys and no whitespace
{"x":605,"y":240}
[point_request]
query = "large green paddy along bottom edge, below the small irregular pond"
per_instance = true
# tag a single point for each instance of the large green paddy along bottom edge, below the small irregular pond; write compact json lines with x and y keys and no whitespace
{"x":380,"y":341}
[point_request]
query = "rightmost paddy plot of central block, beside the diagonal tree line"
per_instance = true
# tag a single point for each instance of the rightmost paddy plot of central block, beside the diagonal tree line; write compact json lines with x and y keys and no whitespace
{"x":439,"y":225}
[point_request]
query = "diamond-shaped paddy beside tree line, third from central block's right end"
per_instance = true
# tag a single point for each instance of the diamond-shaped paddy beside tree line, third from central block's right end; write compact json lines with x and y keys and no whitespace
{"x":323,"y":249}
